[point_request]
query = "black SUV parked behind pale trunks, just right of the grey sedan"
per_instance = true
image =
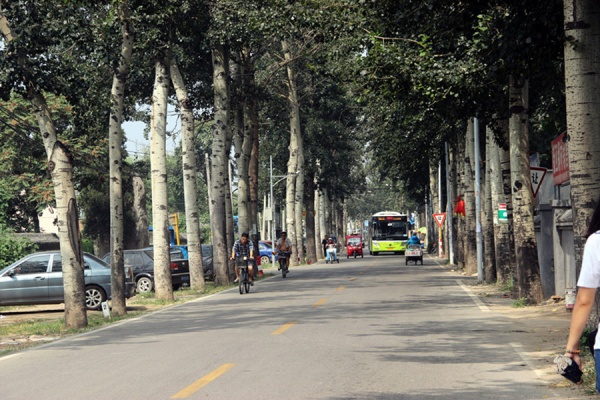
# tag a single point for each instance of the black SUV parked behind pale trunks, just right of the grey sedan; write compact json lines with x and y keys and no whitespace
{"x":142,"y":263}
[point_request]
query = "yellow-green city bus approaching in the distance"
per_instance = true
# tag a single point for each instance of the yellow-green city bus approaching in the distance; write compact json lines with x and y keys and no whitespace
{"x":389,"y":233}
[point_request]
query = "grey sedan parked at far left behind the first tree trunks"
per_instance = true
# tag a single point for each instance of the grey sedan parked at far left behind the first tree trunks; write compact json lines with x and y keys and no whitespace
{"x":38,"y":279}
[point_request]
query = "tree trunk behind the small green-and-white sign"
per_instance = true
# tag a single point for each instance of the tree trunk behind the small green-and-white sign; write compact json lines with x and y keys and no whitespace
{"x":503,"y":250}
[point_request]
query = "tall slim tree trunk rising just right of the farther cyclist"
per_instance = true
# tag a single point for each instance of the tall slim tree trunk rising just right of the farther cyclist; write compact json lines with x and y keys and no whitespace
{"x":295,"y":136}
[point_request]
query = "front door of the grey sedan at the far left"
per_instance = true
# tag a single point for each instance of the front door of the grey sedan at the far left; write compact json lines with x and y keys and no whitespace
{"x":26,"y":282}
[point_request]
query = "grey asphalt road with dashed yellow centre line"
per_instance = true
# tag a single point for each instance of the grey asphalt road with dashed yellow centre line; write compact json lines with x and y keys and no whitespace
{"x":369,"y":328}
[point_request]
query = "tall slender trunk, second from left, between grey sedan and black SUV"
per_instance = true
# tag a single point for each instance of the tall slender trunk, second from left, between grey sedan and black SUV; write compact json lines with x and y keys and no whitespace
{"x":115,"y":141}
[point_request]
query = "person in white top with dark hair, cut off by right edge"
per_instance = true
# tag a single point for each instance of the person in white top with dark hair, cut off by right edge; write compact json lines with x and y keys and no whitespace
{"x":588,"y":283}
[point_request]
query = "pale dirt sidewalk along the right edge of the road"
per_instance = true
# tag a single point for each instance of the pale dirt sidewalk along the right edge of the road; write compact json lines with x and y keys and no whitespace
{"x":539,"y":332}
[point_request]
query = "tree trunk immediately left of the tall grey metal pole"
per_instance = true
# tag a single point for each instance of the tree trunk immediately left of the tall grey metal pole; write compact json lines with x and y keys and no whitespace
{"x":469,"y":191}
